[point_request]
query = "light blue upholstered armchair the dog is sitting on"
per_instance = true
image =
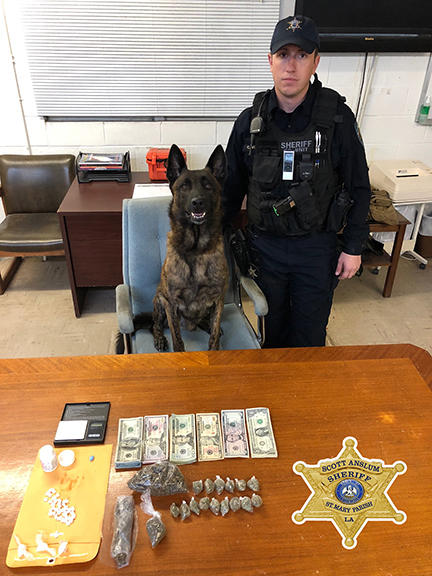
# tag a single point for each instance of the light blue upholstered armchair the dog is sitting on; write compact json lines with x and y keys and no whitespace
{"x":145,"y":227}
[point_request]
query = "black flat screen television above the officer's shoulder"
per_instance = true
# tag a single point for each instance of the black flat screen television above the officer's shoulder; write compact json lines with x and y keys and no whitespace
{"x":371,"y":25}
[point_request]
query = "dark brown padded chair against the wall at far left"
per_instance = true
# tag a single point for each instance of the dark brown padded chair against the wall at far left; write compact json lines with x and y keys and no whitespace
{"x":32,"y":189}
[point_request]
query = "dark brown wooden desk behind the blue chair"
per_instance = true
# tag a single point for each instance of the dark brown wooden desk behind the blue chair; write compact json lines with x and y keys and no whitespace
{"x":91,"y":223}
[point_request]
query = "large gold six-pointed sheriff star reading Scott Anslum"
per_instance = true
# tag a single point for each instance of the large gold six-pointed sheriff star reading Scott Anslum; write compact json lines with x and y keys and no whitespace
{"x":349,"y":490}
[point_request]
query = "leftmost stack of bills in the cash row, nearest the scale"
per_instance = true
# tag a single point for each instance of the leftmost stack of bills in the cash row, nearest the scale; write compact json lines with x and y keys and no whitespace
{"x":129,"y":443}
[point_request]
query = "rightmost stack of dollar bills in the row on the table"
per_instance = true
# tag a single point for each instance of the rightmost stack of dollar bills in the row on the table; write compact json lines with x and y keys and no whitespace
{"x":261,"y":437}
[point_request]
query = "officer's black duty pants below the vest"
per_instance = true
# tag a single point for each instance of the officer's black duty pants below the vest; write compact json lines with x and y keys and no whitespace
{"x":297,"y":276}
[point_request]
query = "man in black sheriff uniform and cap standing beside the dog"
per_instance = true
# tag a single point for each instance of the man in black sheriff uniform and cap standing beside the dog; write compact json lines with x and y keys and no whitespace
{"x":298,"y":157}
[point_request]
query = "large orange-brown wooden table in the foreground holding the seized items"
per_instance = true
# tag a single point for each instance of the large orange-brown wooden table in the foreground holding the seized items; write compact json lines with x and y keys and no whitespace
{"x":317,"y":396}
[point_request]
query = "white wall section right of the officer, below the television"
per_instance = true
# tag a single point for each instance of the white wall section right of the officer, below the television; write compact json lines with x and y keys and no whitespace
{"x":388,"y":127}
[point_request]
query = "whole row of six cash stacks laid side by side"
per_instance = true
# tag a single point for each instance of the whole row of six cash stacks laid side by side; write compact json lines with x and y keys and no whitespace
{"x":186,"y":438}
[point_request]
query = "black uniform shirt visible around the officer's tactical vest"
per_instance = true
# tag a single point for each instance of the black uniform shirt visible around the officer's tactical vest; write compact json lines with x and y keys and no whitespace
{"x":348,"y":158}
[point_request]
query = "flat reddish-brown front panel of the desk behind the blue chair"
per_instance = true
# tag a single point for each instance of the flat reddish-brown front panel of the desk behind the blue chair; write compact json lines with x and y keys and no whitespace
{"x":95,"y":242}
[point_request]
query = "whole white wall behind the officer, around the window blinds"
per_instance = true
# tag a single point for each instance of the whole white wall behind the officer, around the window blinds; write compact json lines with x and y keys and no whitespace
{"x":388,"y":128}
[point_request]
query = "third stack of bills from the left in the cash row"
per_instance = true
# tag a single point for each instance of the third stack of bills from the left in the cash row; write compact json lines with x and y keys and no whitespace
{"x":183,"y":448}
